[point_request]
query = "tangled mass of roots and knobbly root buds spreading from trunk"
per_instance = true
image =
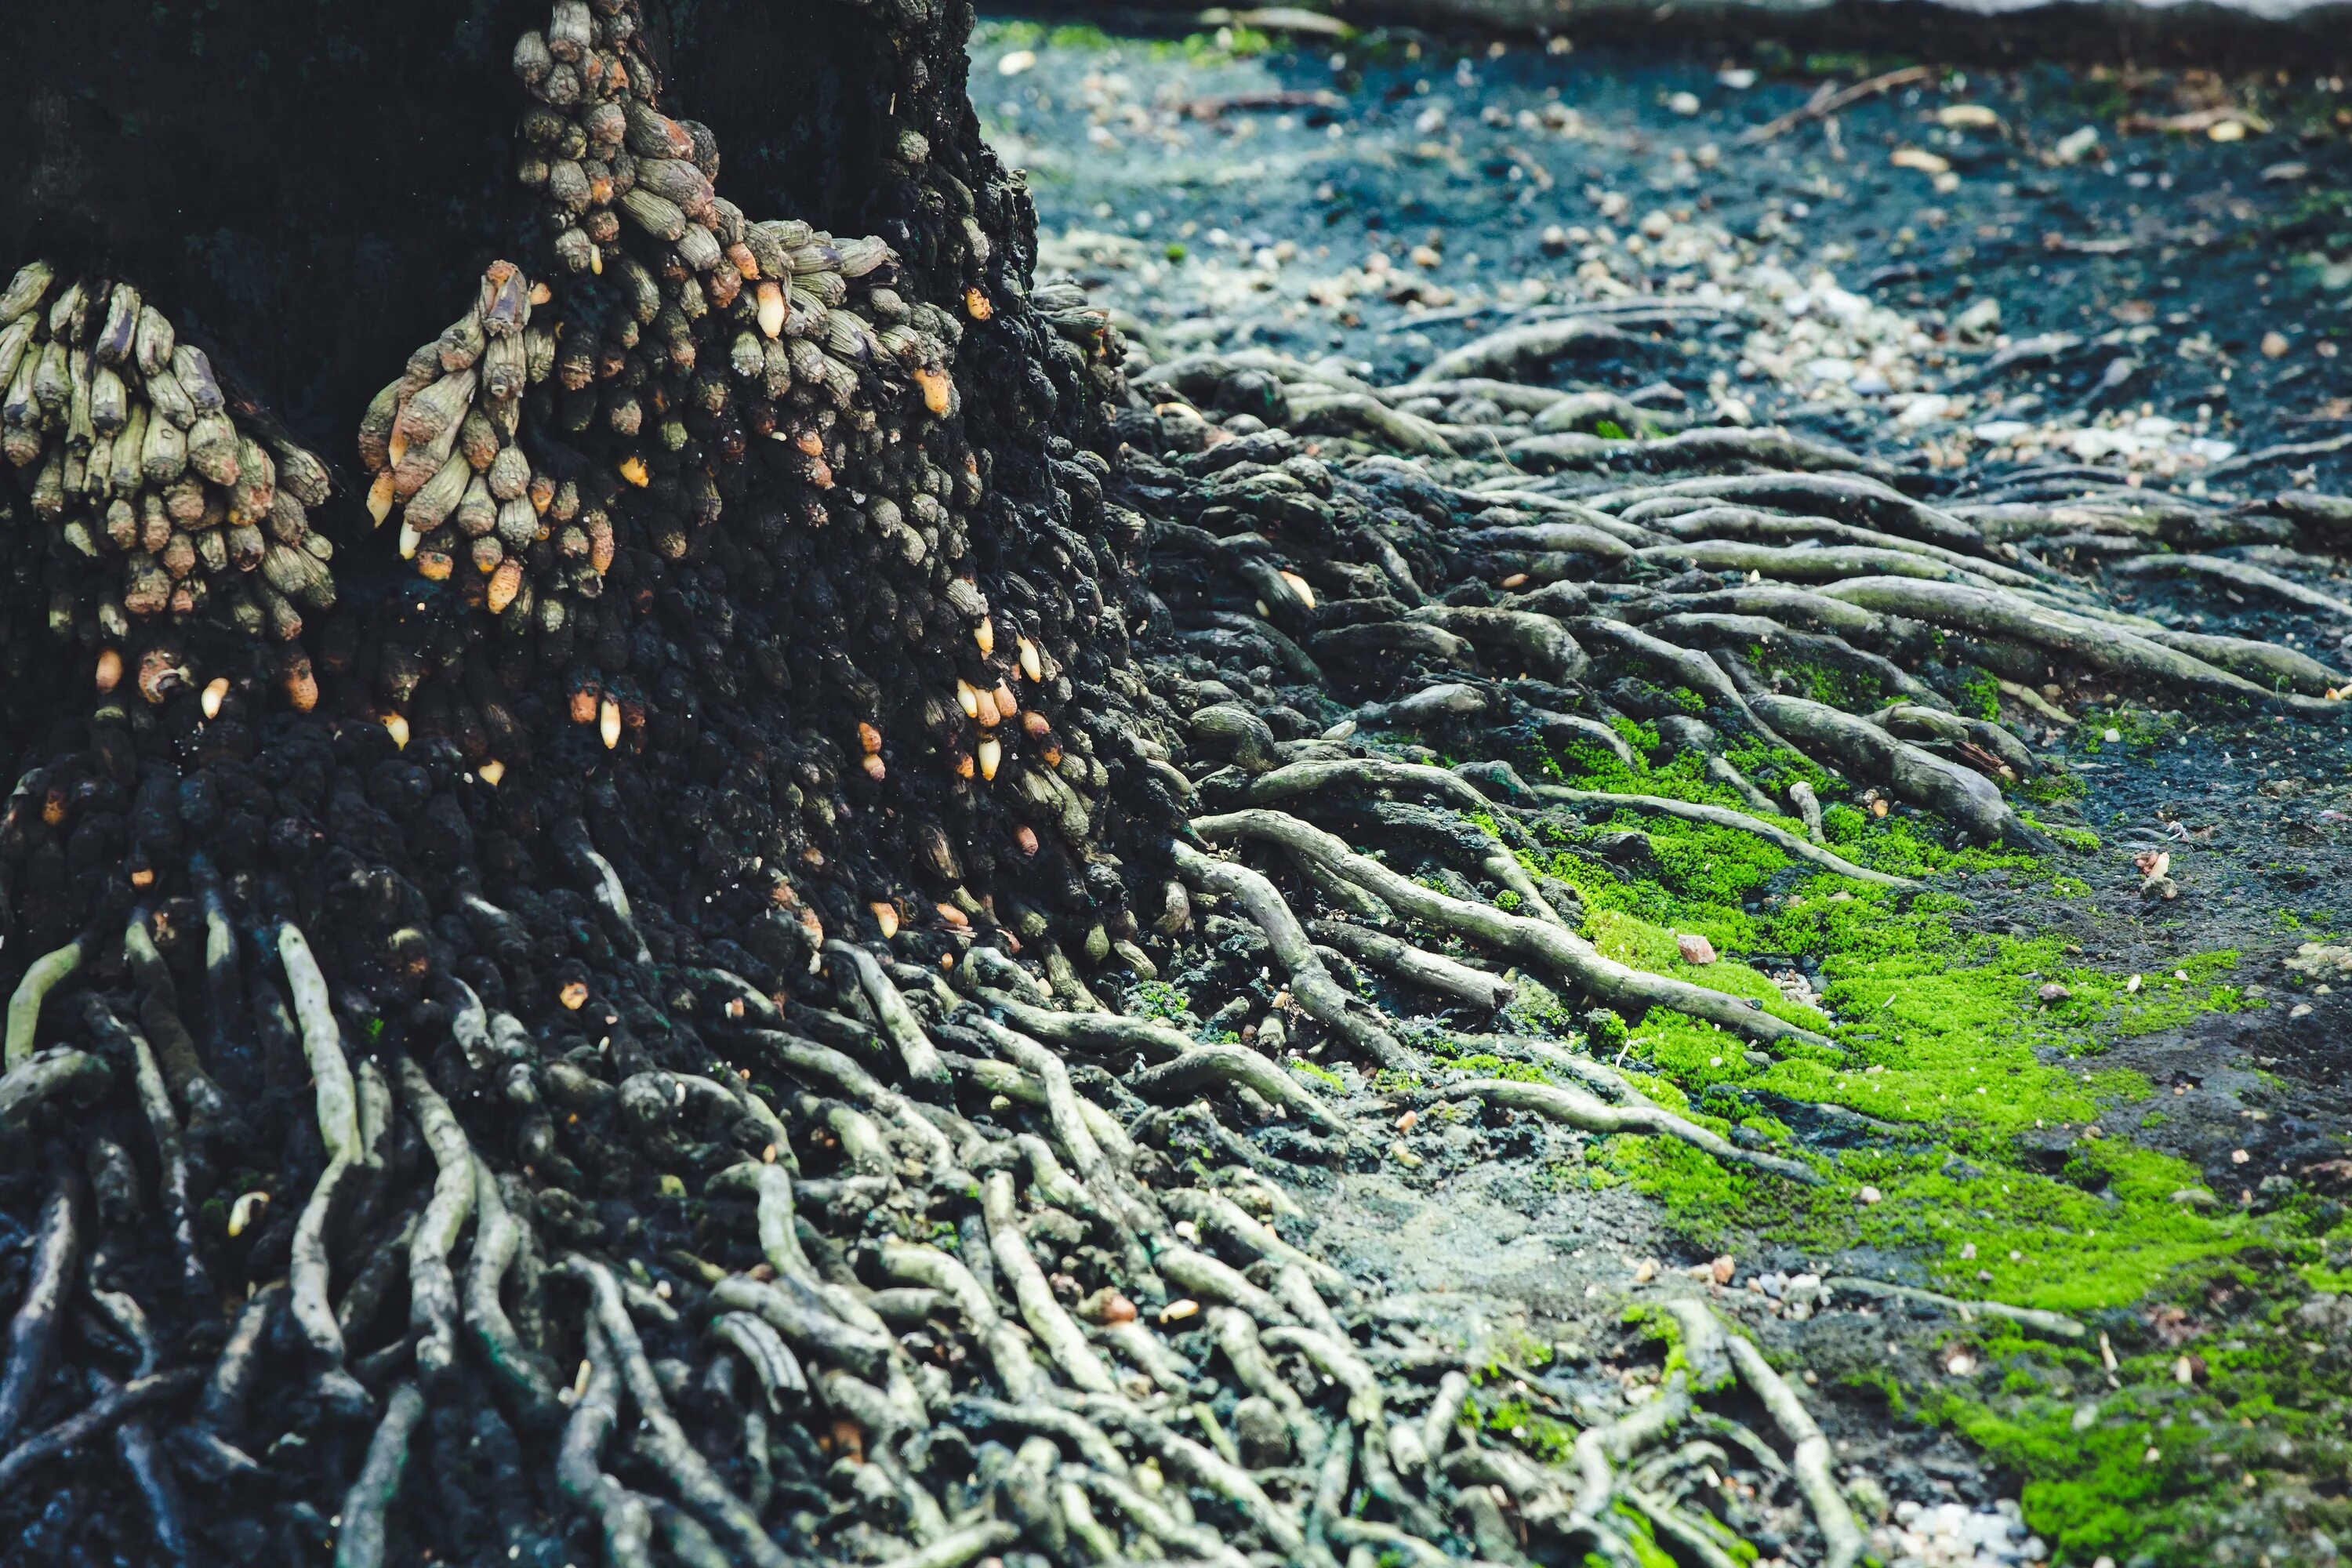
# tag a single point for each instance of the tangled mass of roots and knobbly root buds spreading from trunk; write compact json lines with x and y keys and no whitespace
{"x":608,"y":1033}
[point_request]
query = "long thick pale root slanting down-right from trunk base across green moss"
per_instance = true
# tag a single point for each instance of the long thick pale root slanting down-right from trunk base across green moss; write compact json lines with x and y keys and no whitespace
{"x":1558,"y":951}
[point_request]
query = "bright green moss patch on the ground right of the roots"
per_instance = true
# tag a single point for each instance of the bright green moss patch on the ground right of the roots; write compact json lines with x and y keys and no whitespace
{"x":1965,"y":1123}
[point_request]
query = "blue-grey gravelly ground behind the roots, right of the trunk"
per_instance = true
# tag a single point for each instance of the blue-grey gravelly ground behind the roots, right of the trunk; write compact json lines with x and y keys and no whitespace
{"x":2047,"y":253}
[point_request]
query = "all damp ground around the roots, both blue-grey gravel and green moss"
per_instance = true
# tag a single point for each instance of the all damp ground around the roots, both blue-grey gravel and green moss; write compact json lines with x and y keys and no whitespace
{"x":2024,"y":279}
